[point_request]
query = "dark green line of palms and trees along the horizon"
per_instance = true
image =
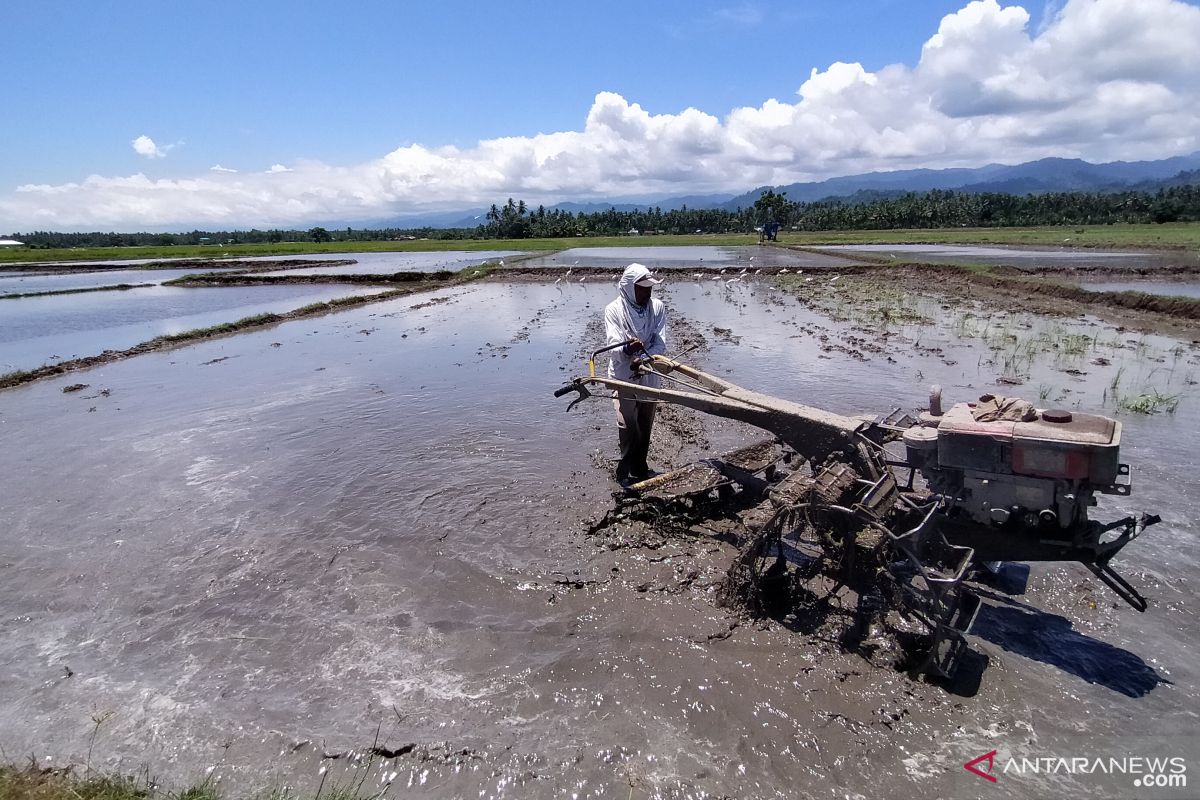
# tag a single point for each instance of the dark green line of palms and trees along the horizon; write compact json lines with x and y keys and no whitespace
{"x":911,"y":210}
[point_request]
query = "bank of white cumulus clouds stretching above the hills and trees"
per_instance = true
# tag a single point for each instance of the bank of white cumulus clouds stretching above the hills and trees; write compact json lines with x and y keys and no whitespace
{"x":1100,"y":80}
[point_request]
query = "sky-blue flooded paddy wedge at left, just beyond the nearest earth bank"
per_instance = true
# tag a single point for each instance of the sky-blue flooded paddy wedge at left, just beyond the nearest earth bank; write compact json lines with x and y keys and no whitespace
{"x":44,"y":330}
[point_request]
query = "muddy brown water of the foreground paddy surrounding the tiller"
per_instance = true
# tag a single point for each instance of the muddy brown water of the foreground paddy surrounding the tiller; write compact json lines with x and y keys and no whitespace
{"x":371,"y":533}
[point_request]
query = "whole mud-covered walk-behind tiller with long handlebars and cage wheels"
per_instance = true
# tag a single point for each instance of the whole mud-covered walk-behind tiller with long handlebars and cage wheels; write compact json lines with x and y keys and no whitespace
{"x":838,"y":507}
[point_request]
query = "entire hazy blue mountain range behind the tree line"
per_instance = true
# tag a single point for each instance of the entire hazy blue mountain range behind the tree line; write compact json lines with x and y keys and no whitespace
{"x":1029,"y":178}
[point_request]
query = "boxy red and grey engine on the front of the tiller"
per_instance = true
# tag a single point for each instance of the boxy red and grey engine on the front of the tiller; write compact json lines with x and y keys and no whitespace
{"x":1040,"y":471}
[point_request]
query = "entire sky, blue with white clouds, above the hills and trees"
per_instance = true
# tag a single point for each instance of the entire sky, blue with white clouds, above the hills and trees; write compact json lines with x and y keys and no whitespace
{"x":341,"y":93}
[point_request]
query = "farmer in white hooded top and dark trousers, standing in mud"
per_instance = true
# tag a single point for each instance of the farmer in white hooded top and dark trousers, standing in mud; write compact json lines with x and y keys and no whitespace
{"x":641,"y":321}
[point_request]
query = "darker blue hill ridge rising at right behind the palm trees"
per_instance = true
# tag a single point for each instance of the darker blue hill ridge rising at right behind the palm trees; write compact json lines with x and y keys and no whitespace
{"x":1029,"y":178}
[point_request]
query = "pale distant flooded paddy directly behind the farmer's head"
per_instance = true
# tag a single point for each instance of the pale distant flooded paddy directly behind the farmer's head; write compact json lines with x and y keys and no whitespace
{"x":687,"y":257}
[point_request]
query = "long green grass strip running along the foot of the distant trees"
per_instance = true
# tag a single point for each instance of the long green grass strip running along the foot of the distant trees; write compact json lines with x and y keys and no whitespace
{"x":1184,"y":236}
